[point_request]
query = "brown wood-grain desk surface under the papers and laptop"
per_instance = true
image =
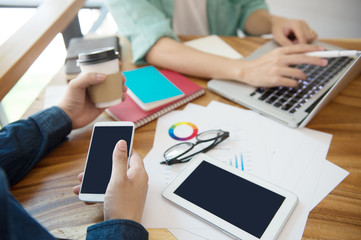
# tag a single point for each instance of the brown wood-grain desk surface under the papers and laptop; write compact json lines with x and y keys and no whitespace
{"x":46,"y":192}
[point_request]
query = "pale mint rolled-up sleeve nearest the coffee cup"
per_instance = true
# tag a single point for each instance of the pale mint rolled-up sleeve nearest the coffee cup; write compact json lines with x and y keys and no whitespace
{"x":142,"y":23}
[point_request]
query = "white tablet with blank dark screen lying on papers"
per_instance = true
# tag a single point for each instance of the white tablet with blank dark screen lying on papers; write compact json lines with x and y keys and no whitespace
{"x":238,"y":203}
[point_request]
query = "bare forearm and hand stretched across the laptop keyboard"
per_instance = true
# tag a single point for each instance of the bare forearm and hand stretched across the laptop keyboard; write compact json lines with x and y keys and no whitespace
{"x":270,"y":70}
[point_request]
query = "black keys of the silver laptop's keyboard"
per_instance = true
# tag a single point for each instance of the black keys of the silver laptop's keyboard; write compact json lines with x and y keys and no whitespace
{"x":291,"y":99}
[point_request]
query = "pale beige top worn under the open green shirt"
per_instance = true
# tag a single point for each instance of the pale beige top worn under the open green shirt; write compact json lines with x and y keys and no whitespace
{"x":190,"y":17}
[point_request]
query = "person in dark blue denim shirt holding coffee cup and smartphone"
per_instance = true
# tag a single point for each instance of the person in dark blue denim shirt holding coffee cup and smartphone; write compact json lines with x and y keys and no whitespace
{"x":25,"y":142}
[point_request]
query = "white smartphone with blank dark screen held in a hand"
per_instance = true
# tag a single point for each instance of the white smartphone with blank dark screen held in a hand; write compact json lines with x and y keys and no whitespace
{"x":99,"y":161}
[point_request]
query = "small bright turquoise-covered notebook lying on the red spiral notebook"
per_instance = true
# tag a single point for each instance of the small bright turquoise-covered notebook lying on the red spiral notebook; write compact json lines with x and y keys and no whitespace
{"x":149,"y":88}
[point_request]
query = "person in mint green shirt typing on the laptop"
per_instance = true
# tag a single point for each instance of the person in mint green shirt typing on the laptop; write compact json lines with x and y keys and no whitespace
{"x":152,"y":27}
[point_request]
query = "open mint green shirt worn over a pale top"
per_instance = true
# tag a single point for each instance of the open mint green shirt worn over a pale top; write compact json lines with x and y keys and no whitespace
{"x":143,"y":22}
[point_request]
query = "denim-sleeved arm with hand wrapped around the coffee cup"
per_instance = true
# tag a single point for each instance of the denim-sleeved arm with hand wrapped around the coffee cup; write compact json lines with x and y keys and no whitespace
{"x":24,"y":142}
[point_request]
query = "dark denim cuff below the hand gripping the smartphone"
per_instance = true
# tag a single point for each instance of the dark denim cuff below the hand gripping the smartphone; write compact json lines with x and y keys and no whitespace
{"x":117,"y":229}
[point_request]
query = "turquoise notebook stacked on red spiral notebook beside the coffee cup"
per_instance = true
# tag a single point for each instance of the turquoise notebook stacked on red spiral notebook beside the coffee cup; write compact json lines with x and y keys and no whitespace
{"x":152,"y":93}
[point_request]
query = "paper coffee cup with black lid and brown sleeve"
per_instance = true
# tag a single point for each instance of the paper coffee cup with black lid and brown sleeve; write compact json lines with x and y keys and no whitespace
{"x":104,"y":60}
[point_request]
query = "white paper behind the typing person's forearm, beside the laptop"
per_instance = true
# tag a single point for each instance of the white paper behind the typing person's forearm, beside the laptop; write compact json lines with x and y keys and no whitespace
{"x":214,"y":45}
